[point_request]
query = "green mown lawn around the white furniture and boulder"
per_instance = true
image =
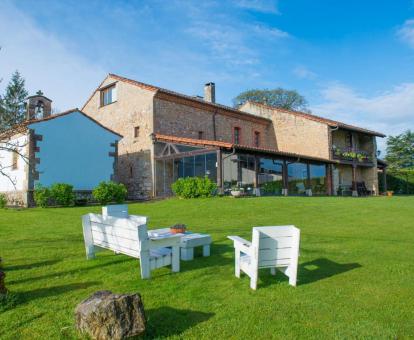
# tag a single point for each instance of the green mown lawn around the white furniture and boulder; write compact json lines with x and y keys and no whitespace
{"x":356,"y":276}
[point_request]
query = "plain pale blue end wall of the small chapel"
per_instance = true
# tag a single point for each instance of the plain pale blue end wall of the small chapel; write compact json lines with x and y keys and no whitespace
{"x":74,"y":150}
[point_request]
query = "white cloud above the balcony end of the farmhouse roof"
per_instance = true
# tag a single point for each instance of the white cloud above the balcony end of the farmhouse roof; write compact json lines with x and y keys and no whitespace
{"x":390,"y":112}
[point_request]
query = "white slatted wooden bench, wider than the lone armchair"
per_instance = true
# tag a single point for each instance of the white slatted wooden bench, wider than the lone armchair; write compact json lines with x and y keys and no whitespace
{"x":129,"y":236}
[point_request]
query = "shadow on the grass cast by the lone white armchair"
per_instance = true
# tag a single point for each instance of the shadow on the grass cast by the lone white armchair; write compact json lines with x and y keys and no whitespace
{"x":310,"y":272}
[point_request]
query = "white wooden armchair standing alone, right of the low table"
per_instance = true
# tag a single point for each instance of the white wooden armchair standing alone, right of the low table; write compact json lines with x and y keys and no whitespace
{"x":271,"y":247}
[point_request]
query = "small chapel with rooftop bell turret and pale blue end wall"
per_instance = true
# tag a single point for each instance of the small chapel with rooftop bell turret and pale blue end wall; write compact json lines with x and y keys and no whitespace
{"x":68,"y":147}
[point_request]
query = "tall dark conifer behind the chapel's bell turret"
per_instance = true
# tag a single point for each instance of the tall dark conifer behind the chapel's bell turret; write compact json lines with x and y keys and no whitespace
{"x":13,"y":102}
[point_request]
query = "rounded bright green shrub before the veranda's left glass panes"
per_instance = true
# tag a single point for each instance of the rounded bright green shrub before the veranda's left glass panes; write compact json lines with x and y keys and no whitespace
{"x":193,"y":187}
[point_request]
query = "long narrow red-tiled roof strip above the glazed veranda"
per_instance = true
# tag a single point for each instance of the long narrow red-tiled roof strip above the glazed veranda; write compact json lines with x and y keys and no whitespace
{"x":226,"y":145}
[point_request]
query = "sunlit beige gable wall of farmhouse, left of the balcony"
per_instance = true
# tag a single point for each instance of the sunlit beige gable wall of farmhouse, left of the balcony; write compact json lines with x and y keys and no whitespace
{"x":295,"y":133}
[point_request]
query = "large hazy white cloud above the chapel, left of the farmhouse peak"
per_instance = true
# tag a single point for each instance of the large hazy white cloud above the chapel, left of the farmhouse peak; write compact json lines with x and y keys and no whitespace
{"x":44,"y":61}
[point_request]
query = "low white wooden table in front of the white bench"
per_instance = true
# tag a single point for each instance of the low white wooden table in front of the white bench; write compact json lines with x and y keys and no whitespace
{"x":188,"y":242}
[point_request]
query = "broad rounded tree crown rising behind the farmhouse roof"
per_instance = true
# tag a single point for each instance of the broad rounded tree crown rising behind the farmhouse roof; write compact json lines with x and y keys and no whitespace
{"x":285,"y":99}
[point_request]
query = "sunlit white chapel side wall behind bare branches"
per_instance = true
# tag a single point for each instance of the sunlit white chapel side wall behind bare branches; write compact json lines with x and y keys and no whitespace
{"x":18,"y":176}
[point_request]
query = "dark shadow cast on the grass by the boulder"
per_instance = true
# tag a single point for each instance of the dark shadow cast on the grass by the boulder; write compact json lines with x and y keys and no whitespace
{"x":167,"y":321}
